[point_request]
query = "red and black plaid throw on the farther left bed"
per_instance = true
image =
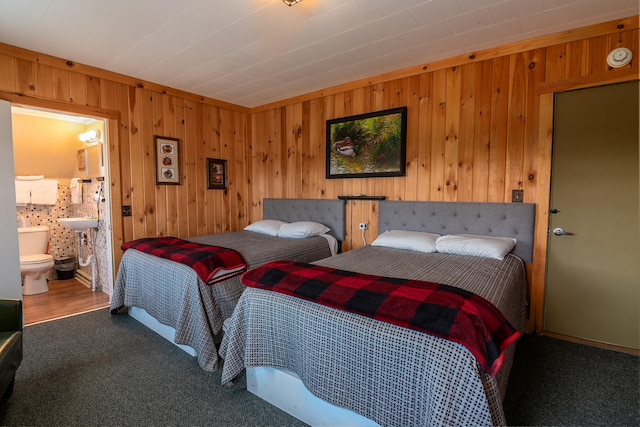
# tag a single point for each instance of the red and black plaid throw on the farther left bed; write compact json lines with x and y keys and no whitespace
{"x":212,"y":264}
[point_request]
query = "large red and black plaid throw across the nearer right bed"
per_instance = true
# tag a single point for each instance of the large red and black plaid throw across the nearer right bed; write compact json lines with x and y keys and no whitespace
{"x":440,"y":310}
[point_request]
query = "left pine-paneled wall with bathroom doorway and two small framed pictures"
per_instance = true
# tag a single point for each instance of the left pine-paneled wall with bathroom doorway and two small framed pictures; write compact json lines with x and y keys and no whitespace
{"x":137,"y":111}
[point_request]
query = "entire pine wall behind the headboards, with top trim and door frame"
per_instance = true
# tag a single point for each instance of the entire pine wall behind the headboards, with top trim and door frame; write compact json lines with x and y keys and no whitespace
{"x":479,"y":126}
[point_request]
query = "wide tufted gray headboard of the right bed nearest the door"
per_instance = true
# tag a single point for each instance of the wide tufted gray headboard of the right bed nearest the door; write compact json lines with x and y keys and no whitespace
{"x":492,"y":219}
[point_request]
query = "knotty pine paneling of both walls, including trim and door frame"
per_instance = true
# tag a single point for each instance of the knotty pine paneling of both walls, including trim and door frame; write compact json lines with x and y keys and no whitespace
{"x":480,"y":126}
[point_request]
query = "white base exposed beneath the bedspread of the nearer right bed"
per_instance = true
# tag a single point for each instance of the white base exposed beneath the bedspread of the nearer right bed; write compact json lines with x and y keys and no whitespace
{"x":284,"y":390}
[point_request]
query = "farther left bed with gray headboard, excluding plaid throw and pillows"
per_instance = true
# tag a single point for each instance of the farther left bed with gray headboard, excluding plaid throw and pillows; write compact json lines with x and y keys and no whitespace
{"x":171,"y":299}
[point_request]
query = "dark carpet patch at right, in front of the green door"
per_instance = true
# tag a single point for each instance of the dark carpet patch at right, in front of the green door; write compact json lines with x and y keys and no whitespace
{"x":559,"y":383}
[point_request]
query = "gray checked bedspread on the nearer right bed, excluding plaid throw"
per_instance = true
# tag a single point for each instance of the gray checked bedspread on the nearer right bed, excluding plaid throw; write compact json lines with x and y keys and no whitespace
{"x":391,"y":375}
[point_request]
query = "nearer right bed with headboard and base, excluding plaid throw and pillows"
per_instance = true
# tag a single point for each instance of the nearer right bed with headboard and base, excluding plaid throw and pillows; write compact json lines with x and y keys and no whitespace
{"x":328,"y":366}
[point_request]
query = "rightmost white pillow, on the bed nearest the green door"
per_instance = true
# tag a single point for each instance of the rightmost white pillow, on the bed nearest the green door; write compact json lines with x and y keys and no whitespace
{"x":475,"y":245}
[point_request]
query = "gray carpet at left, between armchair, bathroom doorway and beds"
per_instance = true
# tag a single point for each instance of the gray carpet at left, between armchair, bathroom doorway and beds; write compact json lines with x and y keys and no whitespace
{"x":97,"y":369}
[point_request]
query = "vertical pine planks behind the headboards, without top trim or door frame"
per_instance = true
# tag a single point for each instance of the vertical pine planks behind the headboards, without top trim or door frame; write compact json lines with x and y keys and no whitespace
{"x":472,"y":135}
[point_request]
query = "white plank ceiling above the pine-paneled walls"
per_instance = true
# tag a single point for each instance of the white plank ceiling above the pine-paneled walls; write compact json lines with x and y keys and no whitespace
{"x":252,"y":53}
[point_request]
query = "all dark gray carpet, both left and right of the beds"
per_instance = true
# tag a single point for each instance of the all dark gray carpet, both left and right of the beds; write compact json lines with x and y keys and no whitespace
{"x":99,"y":369}
